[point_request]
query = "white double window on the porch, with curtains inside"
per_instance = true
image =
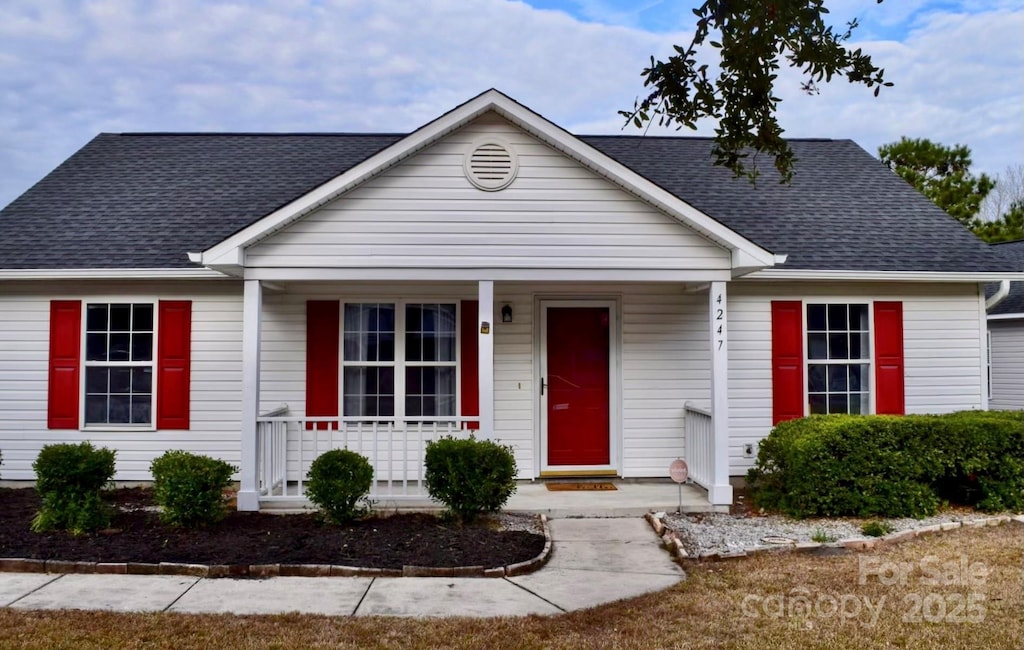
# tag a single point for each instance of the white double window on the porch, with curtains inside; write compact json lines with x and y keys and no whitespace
{"x":399,"y":360}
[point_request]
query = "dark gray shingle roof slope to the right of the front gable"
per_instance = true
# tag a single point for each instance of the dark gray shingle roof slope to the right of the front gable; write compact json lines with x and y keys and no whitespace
{"x":843,"y":211}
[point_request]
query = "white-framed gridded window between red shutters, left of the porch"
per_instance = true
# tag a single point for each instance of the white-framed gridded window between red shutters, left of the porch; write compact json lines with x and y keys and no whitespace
{"x":119,"y":364}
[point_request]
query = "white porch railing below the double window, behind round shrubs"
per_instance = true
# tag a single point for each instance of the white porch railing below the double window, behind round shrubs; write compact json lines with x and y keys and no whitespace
{"x":287,"y":446}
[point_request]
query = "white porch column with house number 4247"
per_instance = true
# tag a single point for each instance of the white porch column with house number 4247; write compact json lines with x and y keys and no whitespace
{"x":720,"y":493}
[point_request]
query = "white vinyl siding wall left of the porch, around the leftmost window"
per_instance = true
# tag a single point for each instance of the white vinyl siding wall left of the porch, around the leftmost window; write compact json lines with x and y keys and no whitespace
{"x":217,"y":376}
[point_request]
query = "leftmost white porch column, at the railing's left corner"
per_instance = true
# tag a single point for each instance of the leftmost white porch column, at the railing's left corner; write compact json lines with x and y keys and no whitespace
{"x":252,"y":308}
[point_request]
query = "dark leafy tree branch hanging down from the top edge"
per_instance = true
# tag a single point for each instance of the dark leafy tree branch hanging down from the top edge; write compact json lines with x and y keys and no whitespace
{"x":752,"y":39}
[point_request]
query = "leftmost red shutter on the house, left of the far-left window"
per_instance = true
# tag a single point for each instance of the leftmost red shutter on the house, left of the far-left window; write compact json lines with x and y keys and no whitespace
{"x":66,"y":350}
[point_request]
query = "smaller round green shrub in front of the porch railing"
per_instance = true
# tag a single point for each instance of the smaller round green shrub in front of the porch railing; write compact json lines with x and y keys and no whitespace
{"x":338,"y":481}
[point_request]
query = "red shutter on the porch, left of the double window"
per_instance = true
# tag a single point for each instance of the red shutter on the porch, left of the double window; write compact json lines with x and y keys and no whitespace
{"x":323,"y":333}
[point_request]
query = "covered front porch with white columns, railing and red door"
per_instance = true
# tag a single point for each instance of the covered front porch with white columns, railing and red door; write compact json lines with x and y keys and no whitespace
{"x":667,"y":377}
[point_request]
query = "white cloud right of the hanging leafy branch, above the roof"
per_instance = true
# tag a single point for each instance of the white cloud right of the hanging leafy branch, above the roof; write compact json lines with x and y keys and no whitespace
{"x":958,"y":80}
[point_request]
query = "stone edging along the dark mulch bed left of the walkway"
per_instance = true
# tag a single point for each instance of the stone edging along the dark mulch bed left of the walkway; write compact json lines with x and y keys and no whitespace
{"x":27,"y":566}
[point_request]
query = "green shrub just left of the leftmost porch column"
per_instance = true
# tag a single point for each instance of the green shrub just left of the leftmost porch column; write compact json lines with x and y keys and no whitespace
{"x":190,"y":489}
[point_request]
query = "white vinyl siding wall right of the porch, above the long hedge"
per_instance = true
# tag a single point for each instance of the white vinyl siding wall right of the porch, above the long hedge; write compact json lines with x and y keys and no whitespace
{"x":943,"y":349}
